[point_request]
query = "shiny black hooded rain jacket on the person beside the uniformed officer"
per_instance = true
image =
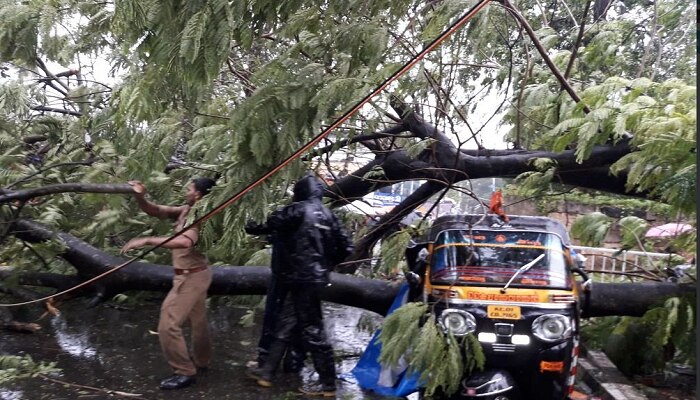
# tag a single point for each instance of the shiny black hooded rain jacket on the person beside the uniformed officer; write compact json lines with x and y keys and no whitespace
{"x":309,"y":240}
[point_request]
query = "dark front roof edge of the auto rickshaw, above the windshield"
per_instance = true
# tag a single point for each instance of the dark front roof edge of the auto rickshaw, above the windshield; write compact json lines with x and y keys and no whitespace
{"x":492,"y":222}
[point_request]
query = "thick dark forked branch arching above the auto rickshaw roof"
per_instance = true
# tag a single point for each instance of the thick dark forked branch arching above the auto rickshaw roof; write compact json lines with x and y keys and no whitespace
{"x":443,"y":164}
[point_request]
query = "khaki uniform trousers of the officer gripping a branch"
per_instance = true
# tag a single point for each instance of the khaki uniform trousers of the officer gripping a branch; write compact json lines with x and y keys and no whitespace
{"x":186,"y":301}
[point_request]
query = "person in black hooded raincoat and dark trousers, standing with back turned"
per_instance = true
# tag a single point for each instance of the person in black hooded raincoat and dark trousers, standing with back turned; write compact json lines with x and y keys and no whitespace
{"x":310,"y":241}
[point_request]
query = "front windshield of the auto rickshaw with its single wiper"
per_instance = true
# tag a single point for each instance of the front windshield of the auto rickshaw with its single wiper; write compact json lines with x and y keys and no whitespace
{"x":490,"y":258}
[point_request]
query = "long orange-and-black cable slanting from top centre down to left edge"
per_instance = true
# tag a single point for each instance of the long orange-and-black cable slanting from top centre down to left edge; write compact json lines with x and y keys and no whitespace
{"x":310,"y":144}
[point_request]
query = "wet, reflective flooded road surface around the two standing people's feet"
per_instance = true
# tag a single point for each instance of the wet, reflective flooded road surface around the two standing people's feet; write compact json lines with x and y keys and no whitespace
{"x":117,"y":349}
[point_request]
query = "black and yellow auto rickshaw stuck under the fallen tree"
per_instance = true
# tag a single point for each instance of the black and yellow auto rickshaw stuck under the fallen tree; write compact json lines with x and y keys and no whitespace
{"x":510,"y":284}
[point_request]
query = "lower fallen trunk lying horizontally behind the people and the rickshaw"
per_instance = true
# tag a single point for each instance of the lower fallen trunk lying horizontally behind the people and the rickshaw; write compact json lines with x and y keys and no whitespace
{"x":631,"y":299}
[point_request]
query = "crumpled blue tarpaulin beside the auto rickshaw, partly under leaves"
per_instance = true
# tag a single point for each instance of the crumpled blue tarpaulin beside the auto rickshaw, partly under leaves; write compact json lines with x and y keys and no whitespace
{"x":388,"y":381}
